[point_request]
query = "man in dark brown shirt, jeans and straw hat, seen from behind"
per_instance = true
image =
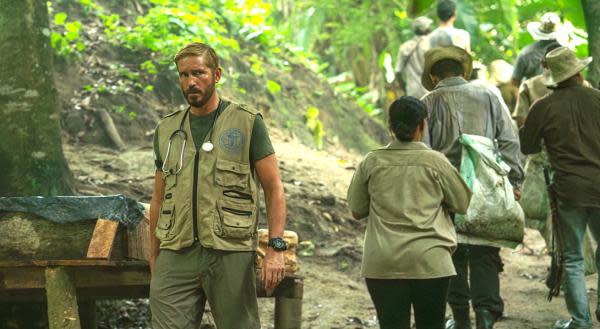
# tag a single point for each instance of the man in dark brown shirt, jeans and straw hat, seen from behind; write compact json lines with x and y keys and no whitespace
{"x":568,"y":122}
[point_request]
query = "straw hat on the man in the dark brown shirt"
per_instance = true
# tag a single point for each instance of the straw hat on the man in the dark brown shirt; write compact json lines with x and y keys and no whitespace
{"x":563,"y":64}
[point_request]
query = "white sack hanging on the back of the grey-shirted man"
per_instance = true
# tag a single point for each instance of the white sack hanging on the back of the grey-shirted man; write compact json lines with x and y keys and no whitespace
{"x":493,"y":213}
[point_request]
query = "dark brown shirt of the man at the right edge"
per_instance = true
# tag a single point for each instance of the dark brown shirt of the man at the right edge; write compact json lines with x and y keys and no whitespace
{"x":568,"y":122}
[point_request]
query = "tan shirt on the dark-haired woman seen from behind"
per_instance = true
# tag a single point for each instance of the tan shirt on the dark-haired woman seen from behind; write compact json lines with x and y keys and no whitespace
{"x":407,"y":191}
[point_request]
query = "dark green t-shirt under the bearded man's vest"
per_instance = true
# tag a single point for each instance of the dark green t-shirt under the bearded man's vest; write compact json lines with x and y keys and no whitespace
{"x":260,"y":143}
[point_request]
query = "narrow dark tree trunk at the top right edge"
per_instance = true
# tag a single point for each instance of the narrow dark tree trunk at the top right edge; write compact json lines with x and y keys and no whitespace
{"x":591,"y":10}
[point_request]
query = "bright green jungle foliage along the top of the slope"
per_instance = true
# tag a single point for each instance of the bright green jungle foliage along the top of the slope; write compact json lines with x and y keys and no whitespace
{"x":353,"y":43}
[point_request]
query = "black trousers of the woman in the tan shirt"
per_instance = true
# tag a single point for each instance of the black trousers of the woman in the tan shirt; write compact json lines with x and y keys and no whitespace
{"x":393,"y":300}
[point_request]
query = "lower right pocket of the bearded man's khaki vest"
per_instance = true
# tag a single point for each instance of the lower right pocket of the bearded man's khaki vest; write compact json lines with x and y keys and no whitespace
{"x":236,"y":220}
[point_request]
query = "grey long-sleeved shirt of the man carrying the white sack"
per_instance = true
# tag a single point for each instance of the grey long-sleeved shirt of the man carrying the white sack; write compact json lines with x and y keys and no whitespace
{"x":478,"y":111}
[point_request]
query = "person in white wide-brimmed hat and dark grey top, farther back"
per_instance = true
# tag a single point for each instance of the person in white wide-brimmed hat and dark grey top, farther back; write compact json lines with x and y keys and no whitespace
{"x":545,"y":32}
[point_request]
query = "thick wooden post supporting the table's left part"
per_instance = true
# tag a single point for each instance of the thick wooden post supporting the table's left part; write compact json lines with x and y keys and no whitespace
{"x":62,"y":299}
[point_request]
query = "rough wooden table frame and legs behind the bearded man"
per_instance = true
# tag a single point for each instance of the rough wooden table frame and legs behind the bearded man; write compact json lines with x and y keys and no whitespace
{"x":70,"y":286}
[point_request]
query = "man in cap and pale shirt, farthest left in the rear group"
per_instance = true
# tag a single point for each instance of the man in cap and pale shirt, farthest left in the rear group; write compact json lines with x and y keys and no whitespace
{"x":409,"y":66}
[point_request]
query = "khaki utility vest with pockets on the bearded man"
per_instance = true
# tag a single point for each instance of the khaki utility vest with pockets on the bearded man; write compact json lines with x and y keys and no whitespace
{"x":214,"y":197}
